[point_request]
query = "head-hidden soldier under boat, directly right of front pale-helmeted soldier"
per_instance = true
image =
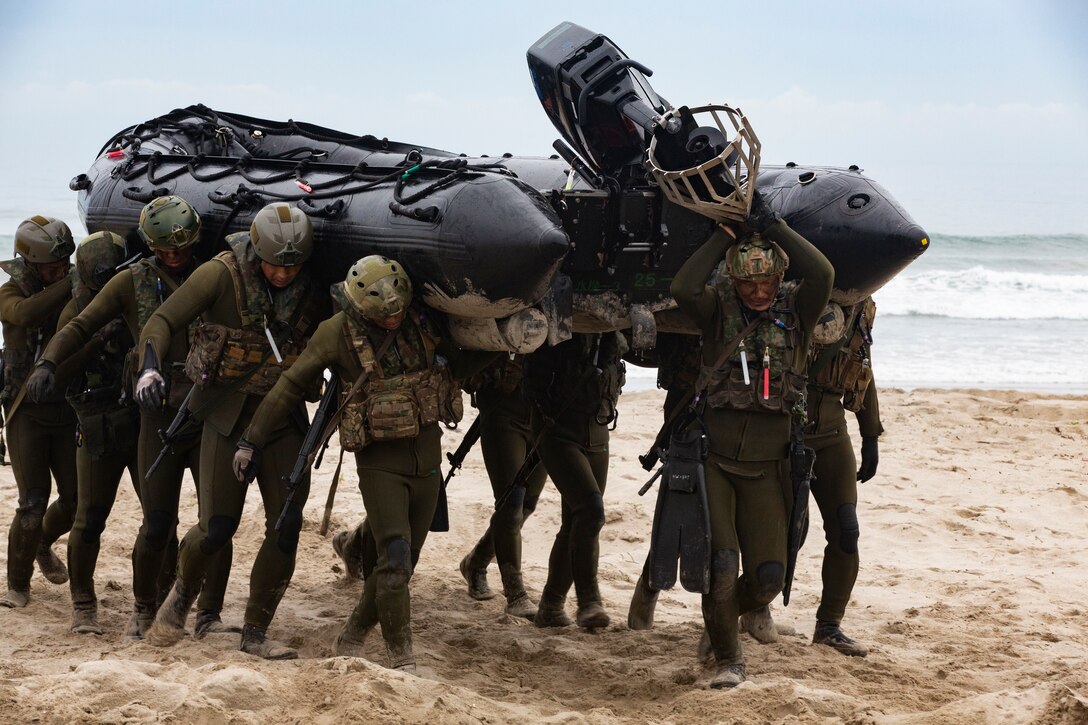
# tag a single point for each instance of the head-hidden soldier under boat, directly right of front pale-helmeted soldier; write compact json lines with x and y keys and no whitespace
{"x":506,"y":438}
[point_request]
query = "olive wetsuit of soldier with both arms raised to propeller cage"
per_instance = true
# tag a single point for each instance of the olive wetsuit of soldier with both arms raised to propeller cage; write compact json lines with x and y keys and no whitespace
{"x":748,"y":466}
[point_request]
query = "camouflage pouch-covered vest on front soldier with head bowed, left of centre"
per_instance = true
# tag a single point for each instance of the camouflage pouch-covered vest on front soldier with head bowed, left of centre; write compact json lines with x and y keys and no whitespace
{"x":407,"y":389}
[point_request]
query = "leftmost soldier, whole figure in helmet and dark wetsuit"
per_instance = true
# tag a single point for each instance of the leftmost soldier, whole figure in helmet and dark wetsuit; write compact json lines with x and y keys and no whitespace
{"x":40,"y":435}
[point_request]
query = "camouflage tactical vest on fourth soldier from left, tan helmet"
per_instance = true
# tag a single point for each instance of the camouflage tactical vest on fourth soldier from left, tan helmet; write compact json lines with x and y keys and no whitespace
{"x":222,"y":355}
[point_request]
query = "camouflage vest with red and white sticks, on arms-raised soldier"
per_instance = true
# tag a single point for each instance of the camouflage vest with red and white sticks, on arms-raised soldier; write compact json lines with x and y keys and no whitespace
{"x":778,"y":340}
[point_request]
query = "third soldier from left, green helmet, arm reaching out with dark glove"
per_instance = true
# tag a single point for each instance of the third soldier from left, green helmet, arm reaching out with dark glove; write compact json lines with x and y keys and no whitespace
{"x":171,"y":228}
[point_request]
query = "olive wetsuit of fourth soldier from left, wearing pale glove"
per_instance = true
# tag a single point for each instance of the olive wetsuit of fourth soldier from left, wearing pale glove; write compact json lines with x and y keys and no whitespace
{"x":211,"y":294}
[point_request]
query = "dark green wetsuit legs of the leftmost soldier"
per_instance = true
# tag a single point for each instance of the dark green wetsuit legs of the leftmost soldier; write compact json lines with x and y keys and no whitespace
{"x":42,"y":447}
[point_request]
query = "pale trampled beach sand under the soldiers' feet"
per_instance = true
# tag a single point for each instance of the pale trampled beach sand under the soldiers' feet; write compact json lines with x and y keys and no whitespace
{"x":972,"y":598}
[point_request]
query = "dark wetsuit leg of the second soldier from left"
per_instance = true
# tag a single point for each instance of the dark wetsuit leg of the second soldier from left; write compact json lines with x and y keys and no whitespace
{"x":100,"y":480}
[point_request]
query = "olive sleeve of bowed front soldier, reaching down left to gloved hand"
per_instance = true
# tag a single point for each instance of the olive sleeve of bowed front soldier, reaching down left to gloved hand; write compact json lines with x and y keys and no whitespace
{"x":290,"y":391}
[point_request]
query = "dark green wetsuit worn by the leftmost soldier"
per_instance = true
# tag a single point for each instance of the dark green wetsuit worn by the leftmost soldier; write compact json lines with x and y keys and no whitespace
{"x":41,"y":436}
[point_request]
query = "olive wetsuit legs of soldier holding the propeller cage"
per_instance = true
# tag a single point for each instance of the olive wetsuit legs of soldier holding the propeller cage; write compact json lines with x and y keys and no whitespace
{"x":748,"y":527}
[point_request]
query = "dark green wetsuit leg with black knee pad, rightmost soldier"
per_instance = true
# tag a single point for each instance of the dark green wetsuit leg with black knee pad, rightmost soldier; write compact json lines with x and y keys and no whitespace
{"x":835,"y":490}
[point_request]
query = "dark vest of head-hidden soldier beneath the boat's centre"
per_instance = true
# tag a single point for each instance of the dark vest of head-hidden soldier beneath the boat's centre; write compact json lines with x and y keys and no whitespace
{"x":585,"y":375}
